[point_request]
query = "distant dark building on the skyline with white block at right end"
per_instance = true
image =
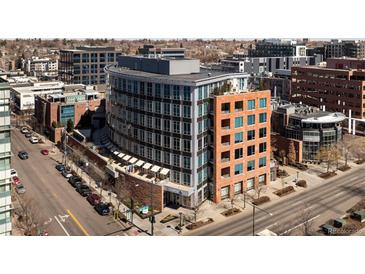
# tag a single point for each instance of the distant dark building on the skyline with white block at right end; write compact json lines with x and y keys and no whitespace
{"x":276,"y":48}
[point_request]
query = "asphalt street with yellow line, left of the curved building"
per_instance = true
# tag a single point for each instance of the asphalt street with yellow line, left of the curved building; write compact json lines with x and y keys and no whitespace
{"x":62,"y":210}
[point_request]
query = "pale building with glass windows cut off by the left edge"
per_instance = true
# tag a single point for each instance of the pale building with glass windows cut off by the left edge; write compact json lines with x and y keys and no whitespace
{"x":5,"y":154}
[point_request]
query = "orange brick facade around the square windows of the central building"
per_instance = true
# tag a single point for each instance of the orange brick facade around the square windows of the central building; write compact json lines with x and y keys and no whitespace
{"x":219,"y":181}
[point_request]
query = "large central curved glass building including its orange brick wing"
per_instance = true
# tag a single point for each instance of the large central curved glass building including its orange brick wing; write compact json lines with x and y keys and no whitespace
{"x":173,"y":115}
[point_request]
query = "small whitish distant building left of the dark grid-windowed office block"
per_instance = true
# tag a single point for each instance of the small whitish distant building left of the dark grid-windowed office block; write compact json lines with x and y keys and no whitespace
{"x":40,"y":67}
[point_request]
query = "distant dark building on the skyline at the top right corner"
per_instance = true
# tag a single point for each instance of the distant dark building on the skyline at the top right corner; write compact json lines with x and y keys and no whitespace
{"x":338,"y":48}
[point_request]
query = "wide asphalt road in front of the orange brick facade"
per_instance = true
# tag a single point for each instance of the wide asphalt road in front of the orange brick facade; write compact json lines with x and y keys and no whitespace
{"x":329,"y":200}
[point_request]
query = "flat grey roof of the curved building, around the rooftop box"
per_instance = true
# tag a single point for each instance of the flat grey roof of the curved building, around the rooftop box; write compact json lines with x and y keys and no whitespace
{"x":203,"y":75}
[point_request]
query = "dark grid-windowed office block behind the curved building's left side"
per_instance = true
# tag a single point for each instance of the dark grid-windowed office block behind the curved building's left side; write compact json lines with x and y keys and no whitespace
{"x":85,"y":65}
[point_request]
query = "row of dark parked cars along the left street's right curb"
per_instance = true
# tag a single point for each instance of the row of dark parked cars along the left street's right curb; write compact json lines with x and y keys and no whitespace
{"x":84,"y":190}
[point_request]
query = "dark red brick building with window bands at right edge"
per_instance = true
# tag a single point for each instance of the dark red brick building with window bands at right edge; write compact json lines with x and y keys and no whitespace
{"x":340,"y":90}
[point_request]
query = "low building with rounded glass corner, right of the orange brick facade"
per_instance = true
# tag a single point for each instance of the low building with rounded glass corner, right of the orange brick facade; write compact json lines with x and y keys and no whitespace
{"x":304,"y":128}
